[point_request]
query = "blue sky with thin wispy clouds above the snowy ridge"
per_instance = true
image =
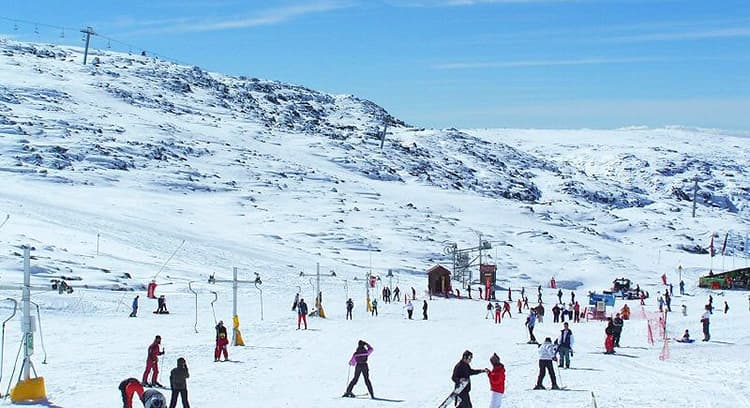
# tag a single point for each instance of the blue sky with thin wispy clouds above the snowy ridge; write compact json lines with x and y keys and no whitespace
{"x":451,"y":63}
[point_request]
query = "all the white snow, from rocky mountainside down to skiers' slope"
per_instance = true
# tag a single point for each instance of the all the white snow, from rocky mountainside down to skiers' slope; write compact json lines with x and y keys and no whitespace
{"x":106,"y":169}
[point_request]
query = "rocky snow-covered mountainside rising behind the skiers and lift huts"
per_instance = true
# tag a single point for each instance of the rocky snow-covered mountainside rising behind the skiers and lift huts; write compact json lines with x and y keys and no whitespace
{"x":145,"y":126}
